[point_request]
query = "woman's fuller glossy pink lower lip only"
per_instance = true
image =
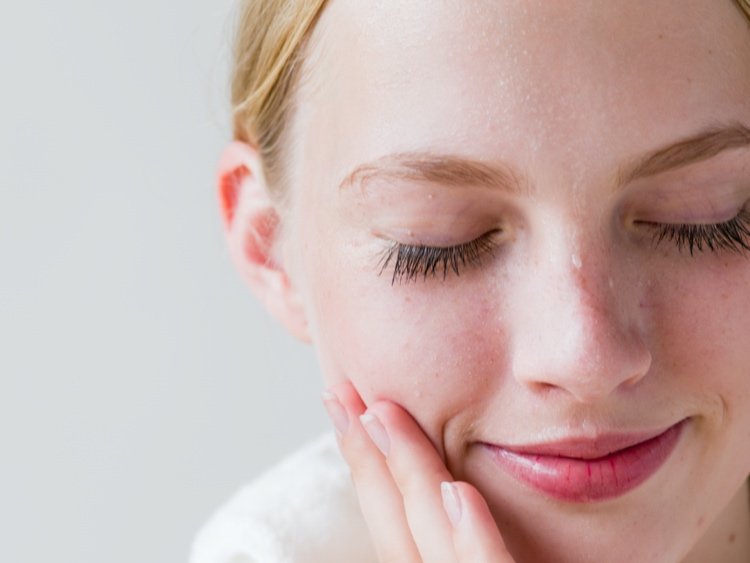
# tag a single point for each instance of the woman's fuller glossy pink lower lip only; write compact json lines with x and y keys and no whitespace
{"x":589,"y":480}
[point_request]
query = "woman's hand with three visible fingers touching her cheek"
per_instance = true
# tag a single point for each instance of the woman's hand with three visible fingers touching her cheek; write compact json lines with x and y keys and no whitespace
{"x":414,"y":510}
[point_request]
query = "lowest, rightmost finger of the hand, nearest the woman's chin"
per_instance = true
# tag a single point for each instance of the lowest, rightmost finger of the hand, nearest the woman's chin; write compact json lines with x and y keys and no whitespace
{"x":476,"y":538}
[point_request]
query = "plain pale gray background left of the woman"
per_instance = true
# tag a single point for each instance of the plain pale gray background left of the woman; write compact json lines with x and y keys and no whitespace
{"x":140,"y":383}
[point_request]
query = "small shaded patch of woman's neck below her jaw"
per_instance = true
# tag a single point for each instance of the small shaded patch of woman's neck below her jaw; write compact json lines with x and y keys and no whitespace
{"x":728,"y":537}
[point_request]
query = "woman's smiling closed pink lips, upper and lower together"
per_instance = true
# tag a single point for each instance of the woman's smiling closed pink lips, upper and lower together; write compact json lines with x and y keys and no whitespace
{"x":588,"y":470}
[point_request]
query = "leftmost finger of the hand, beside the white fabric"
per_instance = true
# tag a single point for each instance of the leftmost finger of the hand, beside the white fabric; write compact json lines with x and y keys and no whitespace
{"x":379,"y":497}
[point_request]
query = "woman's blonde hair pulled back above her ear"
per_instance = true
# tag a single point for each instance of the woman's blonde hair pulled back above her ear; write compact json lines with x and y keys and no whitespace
{"x":269,"y":51}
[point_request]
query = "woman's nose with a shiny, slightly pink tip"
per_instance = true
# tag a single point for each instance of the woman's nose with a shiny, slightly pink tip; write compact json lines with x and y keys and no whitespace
{"x":577,"y":329}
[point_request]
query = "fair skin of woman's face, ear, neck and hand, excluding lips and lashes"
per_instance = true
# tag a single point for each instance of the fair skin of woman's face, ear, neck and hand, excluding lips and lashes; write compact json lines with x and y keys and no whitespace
{"x":574,"y":324}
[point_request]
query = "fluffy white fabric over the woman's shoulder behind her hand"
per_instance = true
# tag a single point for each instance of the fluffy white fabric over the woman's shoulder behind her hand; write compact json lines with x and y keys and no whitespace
{"x":304,"y":510}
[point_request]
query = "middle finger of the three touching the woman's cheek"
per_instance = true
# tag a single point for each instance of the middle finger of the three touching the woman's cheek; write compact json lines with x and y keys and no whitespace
{"x":418,"y":470}
